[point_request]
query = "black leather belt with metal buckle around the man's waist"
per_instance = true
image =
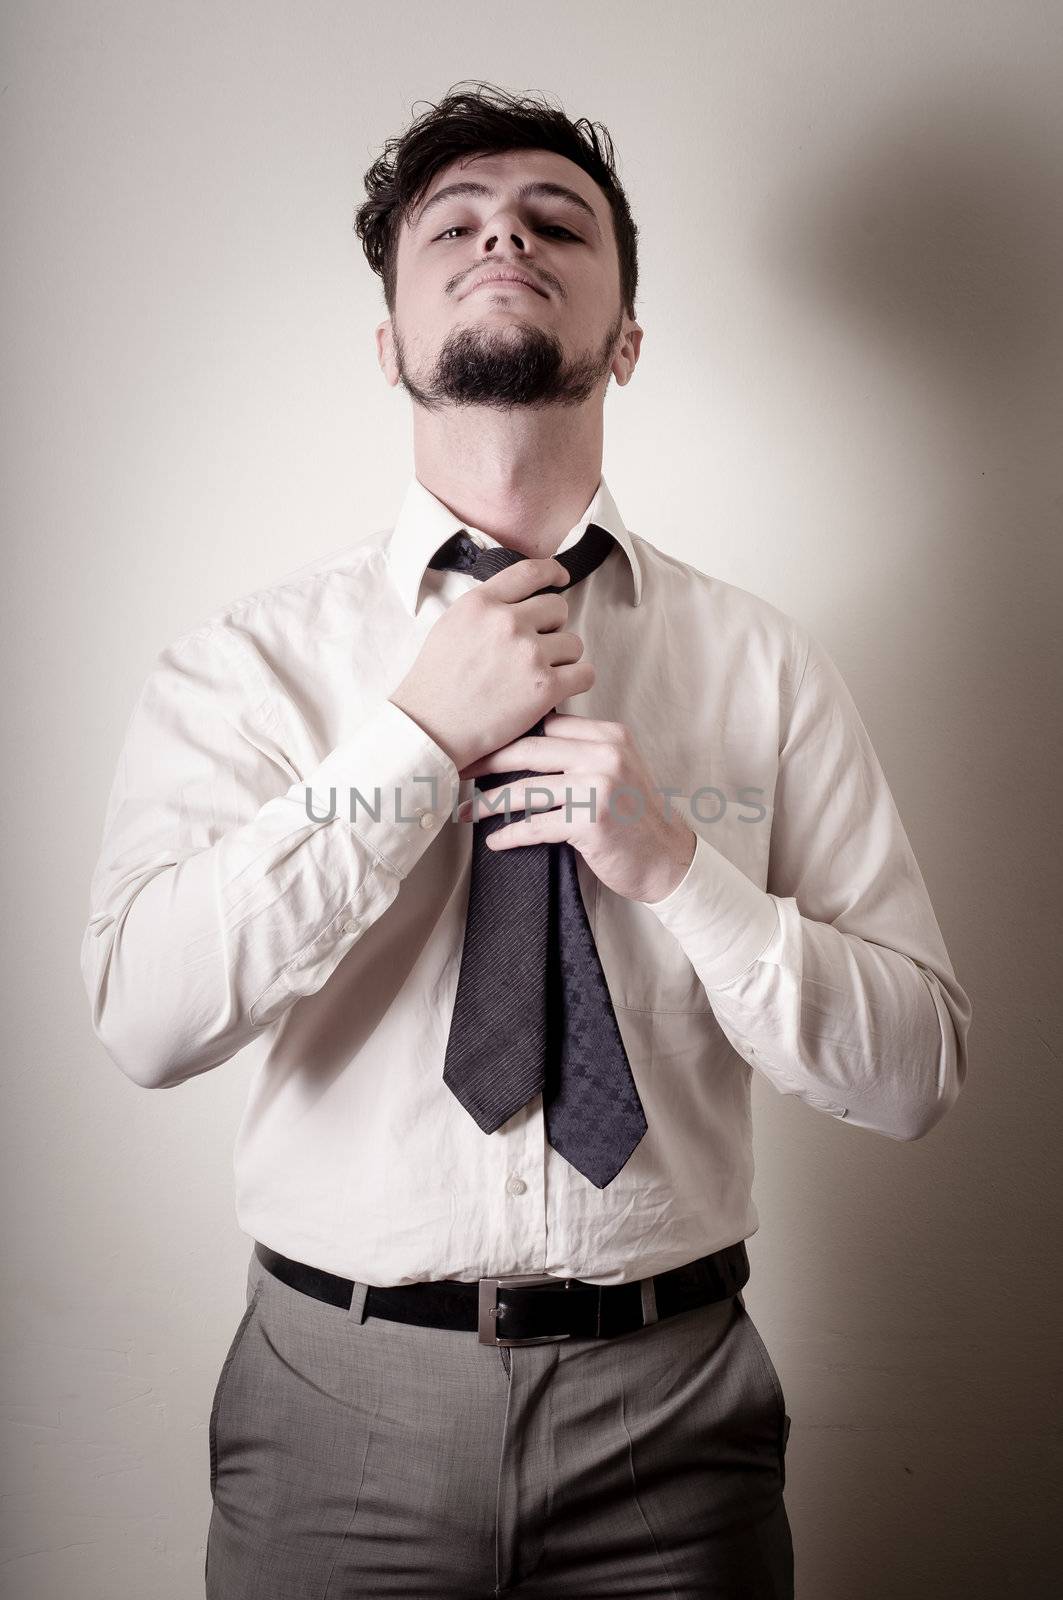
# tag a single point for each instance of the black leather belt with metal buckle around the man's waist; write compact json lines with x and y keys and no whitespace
{"x":531,"y":1308}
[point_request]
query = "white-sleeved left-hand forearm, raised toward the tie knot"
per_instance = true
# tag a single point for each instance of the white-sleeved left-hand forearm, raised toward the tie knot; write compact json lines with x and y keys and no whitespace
{"x":188,"y":956}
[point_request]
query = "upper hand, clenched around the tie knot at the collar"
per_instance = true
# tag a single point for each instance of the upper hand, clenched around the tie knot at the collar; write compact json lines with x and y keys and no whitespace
{"x":495,"y":662}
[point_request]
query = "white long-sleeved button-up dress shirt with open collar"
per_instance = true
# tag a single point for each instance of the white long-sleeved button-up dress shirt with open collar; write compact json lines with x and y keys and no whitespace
{"x":227,"y":918}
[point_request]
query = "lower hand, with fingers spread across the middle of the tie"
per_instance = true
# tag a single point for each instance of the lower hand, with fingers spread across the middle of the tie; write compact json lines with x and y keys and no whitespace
{"x":628,"y":841}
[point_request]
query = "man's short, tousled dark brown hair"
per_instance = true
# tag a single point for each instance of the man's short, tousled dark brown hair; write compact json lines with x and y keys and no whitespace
{"x":484,"y":121}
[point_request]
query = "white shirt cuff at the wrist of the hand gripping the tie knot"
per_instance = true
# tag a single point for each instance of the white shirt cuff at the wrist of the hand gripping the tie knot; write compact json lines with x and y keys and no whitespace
{"x":395,"y":769}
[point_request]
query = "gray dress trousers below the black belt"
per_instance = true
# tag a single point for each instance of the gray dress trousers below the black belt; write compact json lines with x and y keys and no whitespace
{"x":367,"y":1458}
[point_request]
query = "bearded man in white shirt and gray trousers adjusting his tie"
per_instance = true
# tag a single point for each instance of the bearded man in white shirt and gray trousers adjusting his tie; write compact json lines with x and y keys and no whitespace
{"x":508,"y":1046}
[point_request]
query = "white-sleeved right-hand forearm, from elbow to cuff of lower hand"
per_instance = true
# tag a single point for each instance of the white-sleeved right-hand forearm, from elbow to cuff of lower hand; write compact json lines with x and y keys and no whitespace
{"x":852,"y":1026}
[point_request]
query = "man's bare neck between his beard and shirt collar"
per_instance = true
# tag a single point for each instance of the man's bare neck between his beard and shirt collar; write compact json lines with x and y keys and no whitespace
{"x":524,"y":476}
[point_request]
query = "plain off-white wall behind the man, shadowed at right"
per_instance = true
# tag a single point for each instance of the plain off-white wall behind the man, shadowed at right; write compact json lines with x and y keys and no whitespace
{"x":851,"y":402}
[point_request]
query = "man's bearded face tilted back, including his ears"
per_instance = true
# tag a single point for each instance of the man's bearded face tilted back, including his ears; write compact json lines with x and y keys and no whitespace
{"x":508,"y":287}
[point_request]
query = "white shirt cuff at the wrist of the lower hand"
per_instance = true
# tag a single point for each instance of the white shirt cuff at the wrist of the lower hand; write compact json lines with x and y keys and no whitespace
{"x":720,"y":918}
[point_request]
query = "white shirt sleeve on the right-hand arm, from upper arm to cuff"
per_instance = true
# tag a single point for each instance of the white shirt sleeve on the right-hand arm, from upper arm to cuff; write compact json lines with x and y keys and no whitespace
{"x":833,"y":982}
